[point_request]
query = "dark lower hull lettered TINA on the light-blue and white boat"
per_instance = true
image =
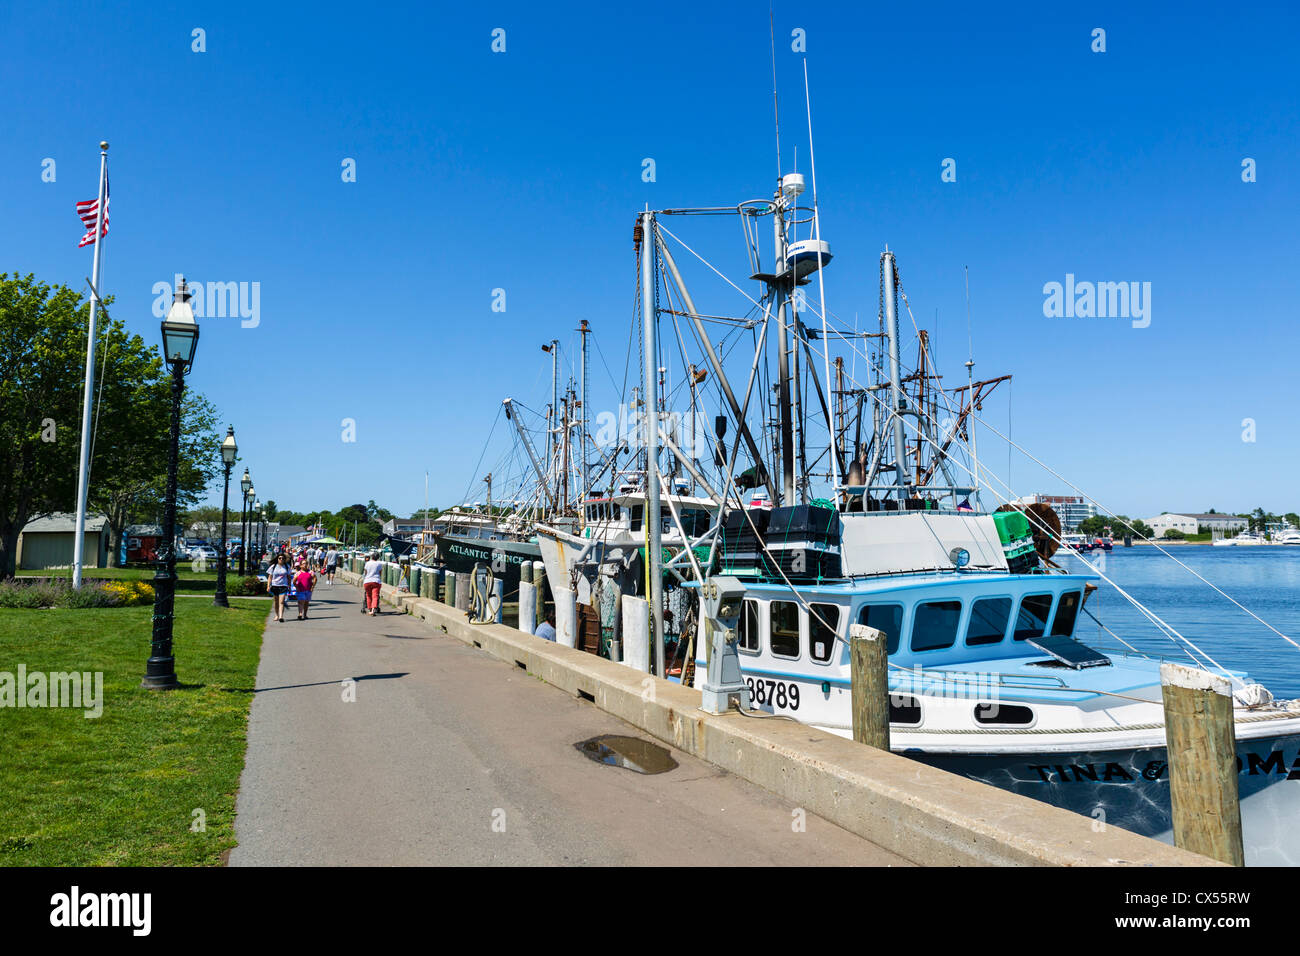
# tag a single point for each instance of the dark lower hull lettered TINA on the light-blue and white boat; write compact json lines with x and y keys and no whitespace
{"x":1130,"y":789}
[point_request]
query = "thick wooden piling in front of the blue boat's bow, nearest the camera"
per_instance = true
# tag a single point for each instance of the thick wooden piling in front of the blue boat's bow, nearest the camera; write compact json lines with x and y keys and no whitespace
{"x":1201,"y":736}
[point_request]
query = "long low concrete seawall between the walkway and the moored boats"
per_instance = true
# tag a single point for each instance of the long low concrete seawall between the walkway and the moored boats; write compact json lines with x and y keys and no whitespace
{"x":925,"y":815}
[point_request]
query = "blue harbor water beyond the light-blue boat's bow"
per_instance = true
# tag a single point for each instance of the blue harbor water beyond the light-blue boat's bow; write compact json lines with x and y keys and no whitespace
{"x":1266,"y":579}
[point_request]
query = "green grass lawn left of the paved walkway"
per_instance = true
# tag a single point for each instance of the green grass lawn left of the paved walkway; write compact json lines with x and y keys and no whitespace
{"x":122,"y":790}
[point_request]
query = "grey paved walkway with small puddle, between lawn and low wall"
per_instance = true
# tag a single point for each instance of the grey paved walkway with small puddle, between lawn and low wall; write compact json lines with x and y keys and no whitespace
{"x":449,"y":756}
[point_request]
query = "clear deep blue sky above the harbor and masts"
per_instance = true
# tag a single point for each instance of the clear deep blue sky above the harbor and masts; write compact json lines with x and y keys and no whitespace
{"x":522,"y":171}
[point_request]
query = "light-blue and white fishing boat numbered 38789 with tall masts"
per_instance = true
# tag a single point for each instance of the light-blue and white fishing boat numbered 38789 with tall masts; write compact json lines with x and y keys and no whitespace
{"x":993,"y":672}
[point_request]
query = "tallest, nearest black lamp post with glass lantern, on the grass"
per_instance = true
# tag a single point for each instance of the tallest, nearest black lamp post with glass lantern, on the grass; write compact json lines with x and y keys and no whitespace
{"x":180,"y":340}
